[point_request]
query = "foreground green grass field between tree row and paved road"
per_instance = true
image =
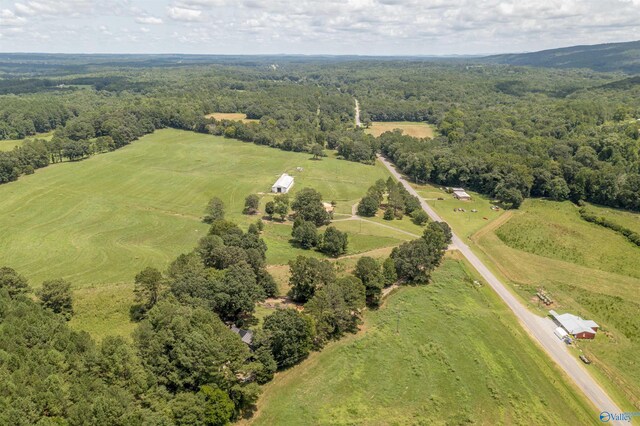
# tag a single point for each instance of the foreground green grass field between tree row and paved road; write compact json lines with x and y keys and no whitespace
{"x":446,"y":353}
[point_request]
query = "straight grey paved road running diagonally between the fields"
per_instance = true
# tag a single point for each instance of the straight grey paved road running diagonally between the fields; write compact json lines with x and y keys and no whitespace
{"x":539,"y":328}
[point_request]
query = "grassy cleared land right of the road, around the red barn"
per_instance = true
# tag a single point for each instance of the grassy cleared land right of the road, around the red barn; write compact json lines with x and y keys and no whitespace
{"x":586,"y":269}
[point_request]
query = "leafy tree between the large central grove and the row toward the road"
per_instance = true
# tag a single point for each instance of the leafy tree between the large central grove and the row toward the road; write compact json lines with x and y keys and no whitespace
{"x":306,"y":275}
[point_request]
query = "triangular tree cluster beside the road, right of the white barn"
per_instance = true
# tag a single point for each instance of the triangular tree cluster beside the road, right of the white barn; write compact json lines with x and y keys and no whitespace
{"x":399,"y":202}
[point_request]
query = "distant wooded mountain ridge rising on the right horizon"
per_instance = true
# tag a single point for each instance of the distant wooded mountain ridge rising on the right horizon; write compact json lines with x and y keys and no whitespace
{"x":623,"y":57}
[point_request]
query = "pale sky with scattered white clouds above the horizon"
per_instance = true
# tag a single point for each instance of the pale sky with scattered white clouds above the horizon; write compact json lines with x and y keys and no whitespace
{"x":364,"y":27}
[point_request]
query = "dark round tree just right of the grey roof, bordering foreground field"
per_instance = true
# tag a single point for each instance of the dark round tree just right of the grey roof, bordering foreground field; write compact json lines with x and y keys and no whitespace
{"x":289,"y":335}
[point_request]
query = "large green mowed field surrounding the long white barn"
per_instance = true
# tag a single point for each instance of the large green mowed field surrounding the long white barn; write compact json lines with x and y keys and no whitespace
{"x":100,"y":221}
